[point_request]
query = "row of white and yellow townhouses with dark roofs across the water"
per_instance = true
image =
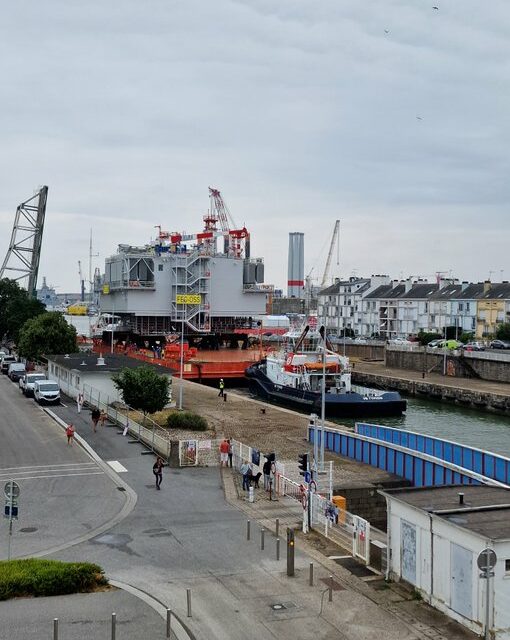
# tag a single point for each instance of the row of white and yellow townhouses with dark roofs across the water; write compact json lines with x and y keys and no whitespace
{"x":390,"y":309}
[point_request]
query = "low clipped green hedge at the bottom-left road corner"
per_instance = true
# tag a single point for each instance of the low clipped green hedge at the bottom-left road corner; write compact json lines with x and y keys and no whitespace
{"x":39,"y":577}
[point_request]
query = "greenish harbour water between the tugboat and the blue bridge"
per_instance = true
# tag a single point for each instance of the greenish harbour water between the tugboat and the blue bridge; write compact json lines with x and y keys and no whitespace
{"x":475,"y":428}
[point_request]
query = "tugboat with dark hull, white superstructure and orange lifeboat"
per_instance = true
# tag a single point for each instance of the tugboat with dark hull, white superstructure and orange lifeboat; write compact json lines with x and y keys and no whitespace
{"x":294,"y":376}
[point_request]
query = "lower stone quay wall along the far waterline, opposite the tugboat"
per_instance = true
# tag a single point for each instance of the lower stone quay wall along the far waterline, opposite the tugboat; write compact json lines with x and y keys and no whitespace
{"x":497,"y":403}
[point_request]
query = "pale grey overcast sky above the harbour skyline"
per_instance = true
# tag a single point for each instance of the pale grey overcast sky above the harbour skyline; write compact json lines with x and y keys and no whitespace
{"x":392,"y":116}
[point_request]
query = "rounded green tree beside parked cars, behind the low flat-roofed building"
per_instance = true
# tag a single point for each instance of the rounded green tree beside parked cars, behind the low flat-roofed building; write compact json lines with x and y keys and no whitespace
{"x":47,"y":333}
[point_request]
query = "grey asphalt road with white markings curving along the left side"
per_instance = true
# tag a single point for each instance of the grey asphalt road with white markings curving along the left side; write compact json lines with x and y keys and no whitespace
{"x":65,"y":495}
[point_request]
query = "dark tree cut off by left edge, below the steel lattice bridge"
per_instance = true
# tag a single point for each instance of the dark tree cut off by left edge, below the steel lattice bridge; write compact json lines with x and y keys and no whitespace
{"x":16,"y":307}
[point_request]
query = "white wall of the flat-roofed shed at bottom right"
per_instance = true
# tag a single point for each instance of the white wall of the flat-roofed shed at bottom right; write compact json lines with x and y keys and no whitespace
{"x":433,"y":564}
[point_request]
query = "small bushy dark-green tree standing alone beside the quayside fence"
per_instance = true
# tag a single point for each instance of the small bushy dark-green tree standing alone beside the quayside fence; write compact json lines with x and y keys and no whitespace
{"x":143,"y":389}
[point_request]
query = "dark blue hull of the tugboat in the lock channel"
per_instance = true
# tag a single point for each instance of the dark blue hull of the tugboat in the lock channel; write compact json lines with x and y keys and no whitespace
{"x":341,"y":405}
